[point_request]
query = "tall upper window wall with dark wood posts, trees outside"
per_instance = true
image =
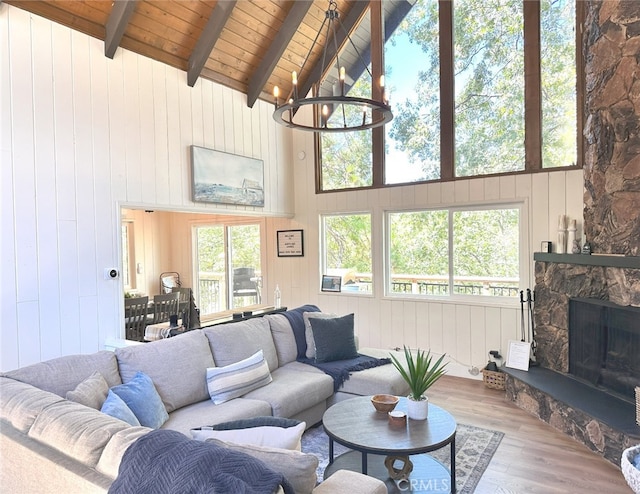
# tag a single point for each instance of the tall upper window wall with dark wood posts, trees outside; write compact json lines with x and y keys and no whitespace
{"x":473,"y":93}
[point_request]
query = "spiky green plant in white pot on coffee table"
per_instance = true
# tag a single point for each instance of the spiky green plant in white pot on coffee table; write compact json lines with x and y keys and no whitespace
{"x":420,"y":374}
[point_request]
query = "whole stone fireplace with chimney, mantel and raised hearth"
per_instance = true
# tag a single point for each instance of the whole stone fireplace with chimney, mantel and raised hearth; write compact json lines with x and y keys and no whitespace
{"x":601,"y":420}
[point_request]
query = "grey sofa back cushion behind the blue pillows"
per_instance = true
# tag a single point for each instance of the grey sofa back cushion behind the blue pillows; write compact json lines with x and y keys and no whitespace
{"x":177,"y":366}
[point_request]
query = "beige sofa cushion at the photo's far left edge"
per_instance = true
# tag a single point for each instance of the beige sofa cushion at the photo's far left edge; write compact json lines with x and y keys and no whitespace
{"x":21,"y":403}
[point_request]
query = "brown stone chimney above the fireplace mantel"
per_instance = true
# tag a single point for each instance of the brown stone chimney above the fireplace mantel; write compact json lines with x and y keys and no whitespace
{"x":612,"y":129}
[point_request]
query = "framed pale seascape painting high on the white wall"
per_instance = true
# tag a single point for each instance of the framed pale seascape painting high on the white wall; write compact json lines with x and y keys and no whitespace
{"x":226,"y":178}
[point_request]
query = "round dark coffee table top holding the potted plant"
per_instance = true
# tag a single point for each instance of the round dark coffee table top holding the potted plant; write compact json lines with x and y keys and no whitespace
{"x":355,"y":424}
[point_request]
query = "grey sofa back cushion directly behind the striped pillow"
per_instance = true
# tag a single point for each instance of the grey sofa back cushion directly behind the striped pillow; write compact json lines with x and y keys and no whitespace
{"x":232,"y":343}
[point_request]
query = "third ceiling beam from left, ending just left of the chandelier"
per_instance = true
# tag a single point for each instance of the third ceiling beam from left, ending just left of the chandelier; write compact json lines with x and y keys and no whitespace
{"x":276,"y":49}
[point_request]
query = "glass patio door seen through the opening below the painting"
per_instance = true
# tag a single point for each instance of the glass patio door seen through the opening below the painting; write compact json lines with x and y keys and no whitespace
{"x":228,"y":270}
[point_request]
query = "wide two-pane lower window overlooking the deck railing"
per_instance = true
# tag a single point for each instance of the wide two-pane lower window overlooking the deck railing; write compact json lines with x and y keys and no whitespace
{"x":457,"y":251}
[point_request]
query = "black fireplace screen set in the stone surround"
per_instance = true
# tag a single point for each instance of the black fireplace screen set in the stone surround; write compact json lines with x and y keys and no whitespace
{"x":604,"y":344}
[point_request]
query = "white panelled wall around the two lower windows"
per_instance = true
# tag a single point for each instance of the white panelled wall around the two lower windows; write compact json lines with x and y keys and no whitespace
{"x":465,"y":331}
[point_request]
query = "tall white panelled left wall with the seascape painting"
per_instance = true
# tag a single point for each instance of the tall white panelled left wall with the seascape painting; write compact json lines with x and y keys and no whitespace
{"x":82,"y":135}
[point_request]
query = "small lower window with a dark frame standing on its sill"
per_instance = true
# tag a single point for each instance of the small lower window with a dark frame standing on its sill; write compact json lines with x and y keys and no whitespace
{"x":346,"y":249}
